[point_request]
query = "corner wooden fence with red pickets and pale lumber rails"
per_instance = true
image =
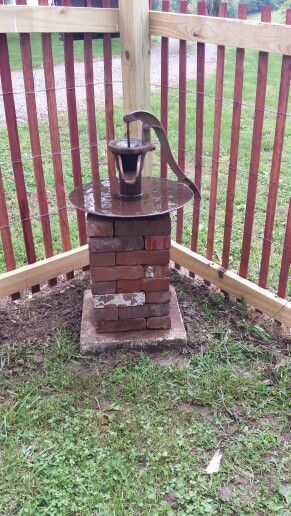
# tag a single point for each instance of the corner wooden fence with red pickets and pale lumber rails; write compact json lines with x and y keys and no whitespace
{"x":48,"y":150}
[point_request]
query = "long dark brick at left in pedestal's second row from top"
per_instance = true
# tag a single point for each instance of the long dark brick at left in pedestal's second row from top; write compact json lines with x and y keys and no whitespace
{"x":99,"y":245}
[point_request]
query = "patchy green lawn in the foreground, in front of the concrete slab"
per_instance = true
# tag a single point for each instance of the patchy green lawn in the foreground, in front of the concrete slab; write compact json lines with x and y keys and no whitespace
{"x":128,"y":435}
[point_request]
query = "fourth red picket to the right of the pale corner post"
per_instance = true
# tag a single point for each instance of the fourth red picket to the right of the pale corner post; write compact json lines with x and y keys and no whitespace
{"x":220,"y":60}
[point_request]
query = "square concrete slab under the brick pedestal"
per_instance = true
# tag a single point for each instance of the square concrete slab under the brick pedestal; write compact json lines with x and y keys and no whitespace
{"x":93,"y":343}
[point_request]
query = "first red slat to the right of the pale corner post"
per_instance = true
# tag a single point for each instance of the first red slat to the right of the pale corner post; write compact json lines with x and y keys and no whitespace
{"x":164,"y":88}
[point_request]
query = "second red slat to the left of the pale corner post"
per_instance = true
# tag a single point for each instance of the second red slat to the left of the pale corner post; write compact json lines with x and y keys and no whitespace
{"x":90,"y":100}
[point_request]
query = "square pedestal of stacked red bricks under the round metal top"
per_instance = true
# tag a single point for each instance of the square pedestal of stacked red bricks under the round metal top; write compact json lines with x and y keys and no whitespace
{"x":129,"y":261}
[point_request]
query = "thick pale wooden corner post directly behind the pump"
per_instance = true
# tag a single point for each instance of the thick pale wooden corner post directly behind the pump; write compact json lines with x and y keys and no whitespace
{"x":135,"y":59}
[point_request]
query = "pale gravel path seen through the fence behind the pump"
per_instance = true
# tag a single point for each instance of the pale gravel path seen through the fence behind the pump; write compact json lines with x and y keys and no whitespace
{"x":18,"y":86}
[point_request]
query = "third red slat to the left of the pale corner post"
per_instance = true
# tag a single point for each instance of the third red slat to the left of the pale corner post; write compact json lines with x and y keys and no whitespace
{"x":73,"y":123}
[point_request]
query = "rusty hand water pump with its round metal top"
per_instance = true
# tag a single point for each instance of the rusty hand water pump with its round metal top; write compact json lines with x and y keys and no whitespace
{"x":132,"y":195}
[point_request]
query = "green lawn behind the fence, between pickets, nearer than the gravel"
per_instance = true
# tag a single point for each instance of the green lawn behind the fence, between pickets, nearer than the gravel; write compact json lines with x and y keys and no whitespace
{"x":242,"y":174}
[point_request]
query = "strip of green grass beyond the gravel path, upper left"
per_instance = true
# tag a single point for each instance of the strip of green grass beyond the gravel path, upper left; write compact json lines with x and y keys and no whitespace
{"x":58,"y":50}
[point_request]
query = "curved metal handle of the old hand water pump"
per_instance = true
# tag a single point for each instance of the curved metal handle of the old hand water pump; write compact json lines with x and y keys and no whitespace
{"x":149,"y":121}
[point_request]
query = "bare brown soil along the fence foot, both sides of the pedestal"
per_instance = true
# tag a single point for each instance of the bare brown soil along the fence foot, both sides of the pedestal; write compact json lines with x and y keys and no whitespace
{"x":204,"y":310}
